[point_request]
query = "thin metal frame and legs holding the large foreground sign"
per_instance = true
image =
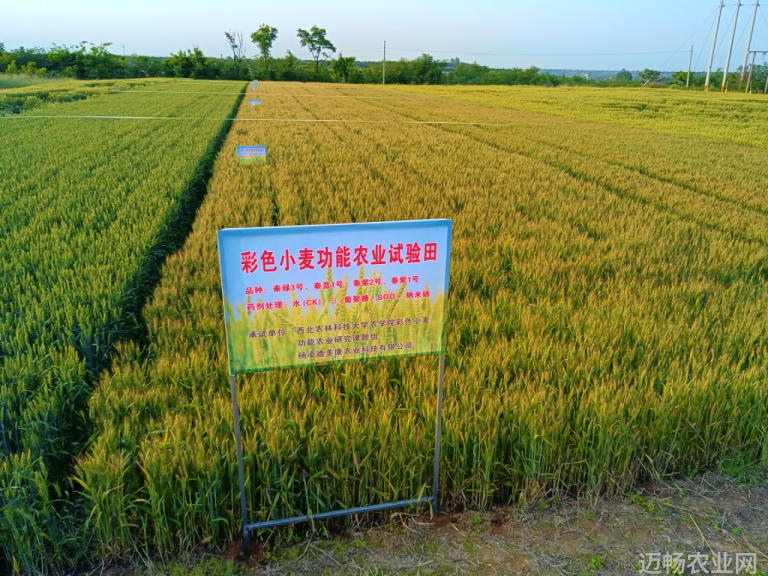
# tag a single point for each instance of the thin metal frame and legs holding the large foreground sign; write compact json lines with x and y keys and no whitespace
{"x":432,"y":500}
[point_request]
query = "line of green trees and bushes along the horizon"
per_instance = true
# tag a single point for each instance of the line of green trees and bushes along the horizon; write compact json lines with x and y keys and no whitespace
{"x":86,"y":61}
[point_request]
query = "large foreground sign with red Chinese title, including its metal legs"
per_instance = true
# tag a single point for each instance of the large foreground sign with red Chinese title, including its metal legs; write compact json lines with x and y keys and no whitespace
{"x":391,"y":295}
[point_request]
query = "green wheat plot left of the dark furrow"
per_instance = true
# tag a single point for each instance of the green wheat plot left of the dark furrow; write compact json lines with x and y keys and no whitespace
{"x":90,"y":203}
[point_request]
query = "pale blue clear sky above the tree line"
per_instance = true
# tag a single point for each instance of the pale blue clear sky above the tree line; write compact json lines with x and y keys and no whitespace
{"x":567,"y":34}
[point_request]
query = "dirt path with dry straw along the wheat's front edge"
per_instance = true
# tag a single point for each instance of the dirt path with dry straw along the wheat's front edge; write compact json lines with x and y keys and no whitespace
{"x":714,"y":514}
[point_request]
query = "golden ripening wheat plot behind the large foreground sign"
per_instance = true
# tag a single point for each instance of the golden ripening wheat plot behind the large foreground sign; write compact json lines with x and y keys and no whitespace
{"x":606,"y":318}
